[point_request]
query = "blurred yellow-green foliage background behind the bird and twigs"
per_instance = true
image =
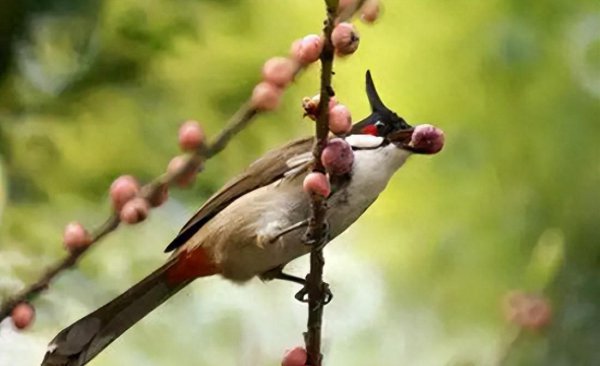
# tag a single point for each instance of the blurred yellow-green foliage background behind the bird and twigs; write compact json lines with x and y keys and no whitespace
{"x":94,"y":89}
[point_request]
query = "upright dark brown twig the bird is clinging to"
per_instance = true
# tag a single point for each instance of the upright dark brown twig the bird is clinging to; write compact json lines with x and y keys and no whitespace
{"x":315,"y":287}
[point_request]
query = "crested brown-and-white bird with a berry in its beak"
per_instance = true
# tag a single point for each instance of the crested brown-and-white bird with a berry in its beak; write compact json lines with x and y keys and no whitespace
{"x":255,"y":224}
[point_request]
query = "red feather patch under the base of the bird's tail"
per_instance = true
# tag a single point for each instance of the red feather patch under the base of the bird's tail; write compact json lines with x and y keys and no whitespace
{"x":191,"y":264}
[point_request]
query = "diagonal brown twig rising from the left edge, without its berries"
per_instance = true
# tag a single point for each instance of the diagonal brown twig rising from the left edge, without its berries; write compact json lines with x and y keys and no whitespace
{"x":238,"y":122}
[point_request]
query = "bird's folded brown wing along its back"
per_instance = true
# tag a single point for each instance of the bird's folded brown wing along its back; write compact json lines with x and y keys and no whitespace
{"x":272,"y":167}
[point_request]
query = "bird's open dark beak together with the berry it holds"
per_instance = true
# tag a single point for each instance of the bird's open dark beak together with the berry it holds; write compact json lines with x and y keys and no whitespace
{"x":422,"y":139}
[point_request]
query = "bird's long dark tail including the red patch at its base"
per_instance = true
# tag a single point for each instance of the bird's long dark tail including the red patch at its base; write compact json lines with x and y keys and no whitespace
{"x":77,"y":344}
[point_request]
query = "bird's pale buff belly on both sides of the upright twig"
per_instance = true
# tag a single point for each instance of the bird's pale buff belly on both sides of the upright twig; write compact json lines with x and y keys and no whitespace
{"x":246,"y":238}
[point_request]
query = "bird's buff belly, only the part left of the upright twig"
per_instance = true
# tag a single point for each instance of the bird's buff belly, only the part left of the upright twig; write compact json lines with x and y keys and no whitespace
{"x":245,"y":237}
